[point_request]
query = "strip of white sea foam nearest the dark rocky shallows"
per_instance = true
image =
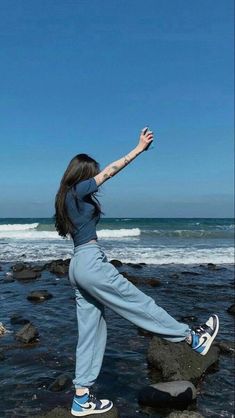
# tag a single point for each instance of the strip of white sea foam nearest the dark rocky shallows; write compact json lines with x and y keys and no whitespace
{"x":48,"y":250}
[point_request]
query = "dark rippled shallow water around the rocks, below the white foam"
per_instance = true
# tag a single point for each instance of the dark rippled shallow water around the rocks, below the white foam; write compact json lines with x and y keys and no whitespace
{"x":27,"y":372}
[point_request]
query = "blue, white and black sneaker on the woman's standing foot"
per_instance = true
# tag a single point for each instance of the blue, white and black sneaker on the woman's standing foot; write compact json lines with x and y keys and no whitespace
{"x":87,"y":404}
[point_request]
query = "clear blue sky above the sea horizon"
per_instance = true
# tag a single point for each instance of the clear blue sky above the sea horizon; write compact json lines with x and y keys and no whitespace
{"x":86,"y":76}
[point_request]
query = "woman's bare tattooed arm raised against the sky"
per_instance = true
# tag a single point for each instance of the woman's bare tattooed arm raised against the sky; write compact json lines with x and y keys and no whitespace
{"x":146,"y":137}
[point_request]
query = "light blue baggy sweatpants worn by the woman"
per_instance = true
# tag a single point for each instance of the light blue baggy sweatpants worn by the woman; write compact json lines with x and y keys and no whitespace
{"x":97,"y":283}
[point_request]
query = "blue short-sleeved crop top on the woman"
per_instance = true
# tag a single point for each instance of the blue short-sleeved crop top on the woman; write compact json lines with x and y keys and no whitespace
{"x":85,"y":225}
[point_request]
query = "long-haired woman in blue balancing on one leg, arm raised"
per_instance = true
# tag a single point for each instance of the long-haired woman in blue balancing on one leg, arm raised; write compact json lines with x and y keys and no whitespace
{"x":97,"y":283}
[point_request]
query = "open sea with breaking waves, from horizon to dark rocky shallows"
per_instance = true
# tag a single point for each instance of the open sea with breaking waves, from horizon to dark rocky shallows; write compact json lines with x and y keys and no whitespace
{"x":149,"y":240}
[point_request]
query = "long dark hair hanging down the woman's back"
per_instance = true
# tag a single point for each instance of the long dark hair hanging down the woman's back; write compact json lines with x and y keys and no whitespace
{"x":81,"y":167}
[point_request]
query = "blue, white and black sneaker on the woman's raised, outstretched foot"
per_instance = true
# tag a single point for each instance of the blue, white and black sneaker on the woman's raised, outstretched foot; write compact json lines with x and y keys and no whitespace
{"x":204,"y":334}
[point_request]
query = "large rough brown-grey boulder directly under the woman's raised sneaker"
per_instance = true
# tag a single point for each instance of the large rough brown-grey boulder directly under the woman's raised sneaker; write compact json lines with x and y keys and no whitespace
{"x":177,"y":361}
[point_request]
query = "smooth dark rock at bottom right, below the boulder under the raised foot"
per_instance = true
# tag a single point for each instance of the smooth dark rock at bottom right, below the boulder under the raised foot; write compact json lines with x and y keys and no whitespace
{"x":169,"y":394}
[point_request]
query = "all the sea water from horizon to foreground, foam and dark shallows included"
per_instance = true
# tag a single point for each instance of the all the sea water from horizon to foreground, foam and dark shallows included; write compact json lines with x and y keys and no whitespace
{"x":176,"y":252}
